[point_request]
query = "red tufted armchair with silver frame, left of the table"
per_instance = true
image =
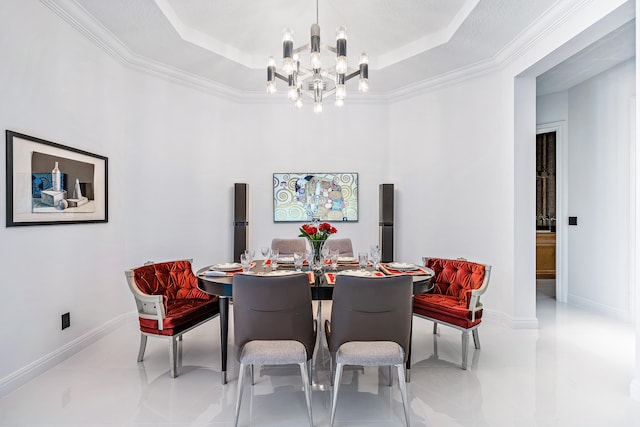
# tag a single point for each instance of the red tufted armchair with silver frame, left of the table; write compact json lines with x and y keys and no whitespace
{"x":169,"y":304}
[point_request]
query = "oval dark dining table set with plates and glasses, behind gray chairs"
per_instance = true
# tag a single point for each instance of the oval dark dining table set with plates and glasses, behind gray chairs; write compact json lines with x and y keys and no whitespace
{"x":217,"y":280}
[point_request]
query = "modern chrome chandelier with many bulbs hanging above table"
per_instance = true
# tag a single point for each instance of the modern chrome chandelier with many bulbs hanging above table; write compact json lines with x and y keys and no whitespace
{"x":314,"y":82}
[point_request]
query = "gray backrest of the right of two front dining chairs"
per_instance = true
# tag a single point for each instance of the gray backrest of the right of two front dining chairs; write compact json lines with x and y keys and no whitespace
{"x":371,"y":309}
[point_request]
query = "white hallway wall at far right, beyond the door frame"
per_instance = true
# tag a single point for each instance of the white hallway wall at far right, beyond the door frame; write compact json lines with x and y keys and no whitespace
{"x":599,"y":179}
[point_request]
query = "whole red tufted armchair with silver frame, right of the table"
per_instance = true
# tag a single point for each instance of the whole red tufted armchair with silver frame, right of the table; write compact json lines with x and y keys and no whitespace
{"x":455,"y":300}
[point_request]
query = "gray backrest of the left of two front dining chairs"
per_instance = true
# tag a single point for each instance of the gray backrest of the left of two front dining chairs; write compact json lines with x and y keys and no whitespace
{"x":273,"y":308}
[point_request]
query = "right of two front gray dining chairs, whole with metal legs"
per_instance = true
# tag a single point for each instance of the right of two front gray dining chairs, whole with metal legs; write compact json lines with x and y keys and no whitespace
{"x":370,"y":326}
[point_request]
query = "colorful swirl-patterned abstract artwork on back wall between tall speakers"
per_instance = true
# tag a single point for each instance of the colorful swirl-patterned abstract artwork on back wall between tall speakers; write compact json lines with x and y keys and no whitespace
{"x":299,"y":197}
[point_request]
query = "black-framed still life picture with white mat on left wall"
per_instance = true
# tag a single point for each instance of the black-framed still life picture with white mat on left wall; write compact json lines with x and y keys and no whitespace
{"x":50,"y":183}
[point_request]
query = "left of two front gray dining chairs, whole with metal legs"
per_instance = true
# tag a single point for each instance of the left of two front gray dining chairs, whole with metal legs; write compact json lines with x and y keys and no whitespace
{"x":273,"y":325}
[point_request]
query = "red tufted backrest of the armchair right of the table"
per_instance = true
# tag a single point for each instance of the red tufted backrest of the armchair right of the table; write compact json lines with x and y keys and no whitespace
{"x":457,"y":278}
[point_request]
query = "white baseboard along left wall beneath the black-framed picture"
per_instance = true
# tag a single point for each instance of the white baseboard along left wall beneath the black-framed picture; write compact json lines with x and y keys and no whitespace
{"x":32,"y":370}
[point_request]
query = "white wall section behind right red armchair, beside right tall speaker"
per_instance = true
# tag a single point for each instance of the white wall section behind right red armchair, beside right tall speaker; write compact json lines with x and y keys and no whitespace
{"x":450,"y":165}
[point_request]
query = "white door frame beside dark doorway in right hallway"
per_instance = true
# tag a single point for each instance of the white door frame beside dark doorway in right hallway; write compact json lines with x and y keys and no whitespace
{"x":562,"y":196}
